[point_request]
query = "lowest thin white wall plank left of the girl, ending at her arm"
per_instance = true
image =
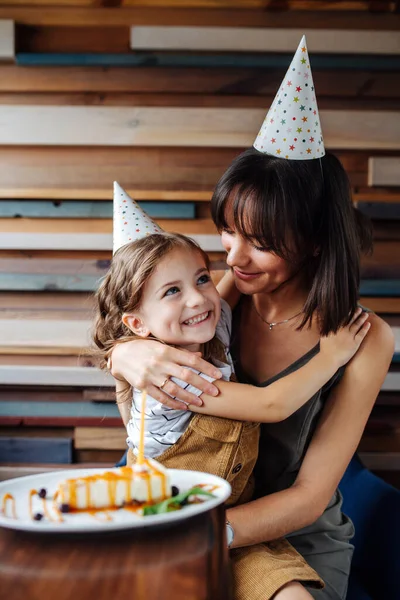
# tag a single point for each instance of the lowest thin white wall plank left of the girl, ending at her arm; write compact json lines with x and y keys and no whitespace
{"x":55,"y":376}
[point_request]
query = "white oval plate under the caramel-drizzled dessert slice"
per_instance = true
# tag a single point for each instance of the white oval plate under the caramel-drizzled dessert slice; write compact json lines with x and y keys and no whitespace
{"x":82,"y":522}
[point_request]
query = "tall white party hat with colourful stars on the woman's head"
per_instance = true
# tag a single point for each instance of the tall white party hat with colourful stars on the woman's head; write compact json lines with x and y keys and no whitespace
{"x":292,"y":128}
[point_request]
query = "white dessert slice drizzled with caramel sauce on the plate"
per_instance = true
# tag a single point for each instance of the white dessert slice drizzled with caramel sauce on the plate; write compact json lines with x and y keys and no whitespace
{"x":146,"y":484}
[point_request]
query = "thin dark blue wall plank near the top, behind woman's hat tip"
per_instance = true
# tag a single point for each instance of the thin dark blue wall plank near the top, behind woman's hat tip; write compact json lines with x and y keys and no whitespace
{"x":206,"y":61}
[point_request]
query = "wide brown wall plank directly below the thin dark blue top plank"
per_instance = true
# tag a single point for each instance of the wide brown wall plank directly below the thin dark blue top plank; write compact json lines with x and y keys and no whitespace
{"x":174,"y":81}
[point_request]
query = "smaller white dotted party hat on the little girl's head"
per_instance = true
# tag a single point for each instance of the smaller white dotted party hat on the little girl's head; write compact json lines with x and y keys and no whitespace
{"x":130,"y":221}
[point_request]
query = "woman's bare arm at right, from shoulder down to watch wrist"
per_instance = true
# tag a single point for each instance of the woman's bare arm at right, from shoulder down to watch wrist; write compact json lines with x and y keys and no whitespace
{"x":335,"y":440}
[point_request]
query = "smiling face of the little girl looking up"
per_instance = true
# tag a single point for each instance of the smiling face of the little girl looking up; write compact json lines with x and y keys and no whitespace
{"x":180,"y":304}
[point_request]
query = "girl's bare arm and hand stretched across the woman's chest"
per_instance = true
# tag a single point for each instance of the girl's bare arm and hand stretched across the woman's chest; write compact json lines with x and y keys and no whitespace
{"x":282,"y":398}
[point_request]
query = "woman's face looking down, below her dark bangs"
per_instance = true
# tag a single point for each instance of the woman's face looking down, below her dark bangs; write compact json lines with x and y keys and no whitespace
{"x":256,"y":270}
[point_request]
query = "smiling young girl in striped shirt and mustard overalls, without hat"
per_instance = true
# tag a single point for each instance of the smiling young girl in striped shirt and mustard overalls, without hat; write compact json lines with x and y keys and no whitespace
{"x":159,"y":286}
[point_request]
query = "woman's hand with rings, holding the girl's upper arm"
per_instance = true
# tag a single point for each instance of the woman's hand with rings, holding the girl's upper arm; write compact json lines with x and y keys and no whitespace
{"x":148,"y":365}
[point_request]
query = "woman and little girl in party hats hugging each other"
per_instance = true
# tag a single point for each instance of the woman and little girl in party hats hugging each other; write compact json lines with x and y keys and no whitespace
{"x":269,"y":381}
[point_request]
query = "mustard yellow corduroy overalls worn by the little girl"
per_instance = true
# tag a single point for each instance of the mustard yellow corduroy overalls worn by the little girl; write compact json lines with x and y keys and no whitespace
{"x":229,"y":449}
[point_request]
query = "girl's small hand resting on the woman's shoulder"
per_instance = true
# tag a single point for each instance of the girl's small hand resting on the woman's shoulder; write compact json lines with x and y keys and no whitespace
{"x":344,"y":344}
